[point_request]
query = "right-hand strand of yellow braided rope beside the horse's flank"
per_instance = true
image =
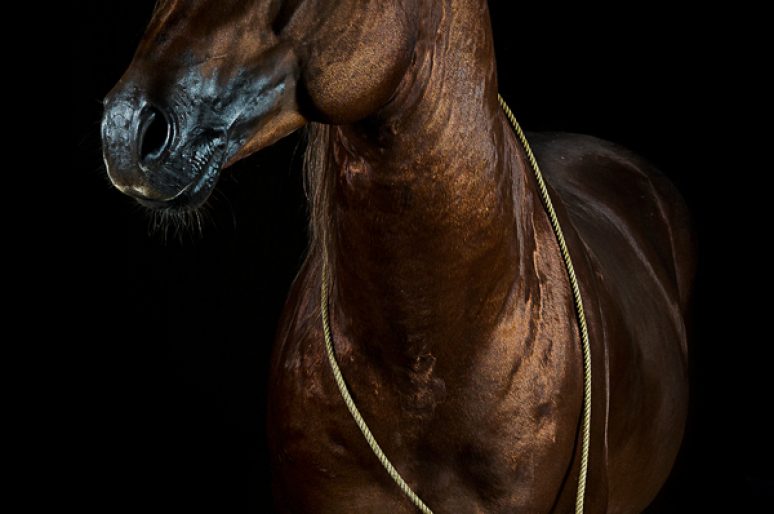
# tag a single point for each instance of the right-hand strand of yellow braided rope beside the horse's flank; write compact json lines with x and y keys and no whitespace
{"x":577,"y":300}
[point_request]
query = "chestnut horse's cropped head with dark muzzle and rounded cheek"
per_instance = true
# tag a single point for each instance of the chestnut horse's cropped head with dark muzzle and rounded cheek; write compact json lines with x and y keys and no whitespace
{"x":213,"y":81}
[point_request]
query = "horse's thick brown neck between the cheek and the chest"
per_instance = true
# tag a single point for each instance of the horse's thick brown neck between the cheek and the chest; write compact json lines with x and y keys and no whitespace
{"x":430,"y":215}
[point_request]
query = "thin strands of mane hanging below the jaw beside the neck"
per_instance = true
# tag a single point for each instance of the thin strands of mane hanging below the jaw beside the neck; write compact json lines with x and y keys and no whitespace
{"x":319,"y":182}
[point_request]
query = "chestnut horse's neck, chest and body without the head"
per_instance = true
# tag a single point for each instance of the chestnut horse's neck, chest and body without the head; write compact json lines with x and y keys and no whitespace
{"x":452,"y":315}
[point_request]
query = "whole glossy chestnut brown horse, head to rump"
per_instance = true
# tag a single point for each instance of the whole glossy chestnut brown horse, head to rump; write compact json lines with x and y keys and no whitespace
{"x":450,"y":306}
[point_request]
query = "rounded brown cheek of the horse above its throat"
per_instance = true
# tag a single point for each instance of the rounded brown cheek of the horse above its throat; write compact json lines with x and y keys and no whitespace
{"x":352,"y":58}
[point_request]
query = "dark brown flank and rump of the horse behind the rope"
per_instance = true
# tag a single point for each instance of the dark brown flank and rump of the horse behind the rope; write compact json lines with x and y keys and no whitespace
{"x":631,"y":240}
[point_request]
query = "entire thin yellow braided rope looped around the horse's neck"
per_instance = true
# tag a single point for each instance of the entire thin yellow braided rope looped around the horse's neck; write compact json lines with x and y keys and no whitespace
{"x":586,"y":421}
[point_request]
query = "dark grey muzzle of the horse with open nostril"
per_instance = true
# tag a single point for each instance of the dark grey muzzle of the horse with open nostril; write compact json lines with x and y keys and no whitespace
{"x":165,"y":138}
